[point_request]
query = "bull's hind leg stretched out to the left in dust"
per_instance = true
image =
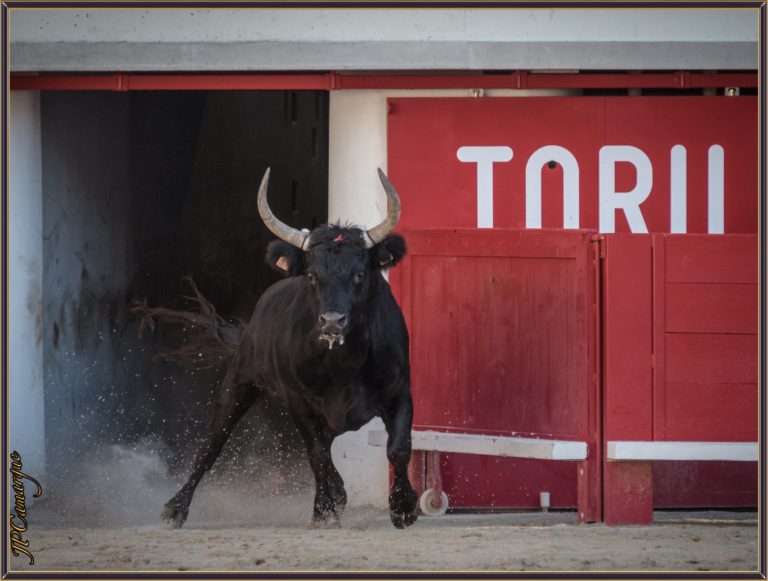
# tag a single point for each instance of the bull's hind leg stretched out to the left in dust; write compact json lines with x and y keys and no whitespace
{"x":233,"y":403}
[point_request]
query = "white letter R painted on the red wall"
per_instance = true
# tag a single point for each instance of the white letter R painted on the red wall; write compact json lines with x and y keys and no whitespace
{"x":629,"y":202}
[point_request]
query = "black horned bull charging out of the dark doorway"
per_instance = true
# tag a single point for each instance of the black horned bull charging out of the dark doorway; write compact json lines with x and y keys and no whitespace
{"x":331,"y":340}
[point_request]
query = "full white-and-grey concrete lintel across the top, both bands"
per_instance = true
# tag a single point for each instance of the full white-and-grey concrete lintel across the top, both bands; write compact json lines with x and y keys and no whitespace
{"x":248,"y":39}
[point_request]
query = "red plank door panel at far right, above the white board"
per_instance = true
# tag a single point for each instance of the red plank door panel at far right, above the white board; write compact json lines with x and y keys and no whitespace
{"x":705,"y":331}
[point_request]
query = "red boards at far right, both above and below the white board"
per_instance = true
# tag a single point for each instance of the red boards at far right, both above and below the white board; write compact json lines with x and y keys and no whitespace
{"x":706,"y":320}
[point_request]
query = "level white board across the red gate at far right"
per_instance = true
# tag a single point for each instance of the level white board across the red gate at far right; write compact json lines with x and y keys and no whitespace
{"x":733,"y":451}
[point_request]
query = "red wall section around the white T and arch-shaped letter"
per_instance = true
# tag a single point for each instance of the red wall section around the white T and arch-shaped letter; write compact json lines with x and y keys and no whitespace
{"x":425,"y":134}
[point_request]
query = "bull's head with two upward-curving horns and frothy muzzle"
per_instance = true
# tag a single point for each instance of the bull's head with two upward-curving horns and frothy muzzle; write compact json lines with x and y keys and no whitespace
{"x":337,"y":263}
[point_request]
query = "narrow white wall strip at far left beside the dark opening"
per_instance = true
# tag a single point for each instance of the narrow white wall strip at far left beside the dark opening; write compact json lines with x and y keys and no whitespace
{"x":25,"y":276}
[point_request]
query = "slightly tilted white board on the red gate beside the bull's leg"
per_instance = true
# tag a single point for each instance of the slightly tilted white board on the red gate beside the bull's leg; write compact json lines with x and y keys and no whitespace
{"x":490,"y":445}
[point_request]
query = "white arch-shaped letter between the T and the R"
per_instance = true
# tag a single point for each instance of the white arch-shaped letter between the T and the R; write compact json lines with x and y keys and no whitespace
{"x":533,"y":169}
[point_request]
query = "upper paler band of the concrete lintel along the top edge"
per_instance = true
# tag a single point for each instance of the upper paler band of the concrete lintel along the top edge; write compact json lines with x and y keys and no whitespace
{"x":371,"y":25}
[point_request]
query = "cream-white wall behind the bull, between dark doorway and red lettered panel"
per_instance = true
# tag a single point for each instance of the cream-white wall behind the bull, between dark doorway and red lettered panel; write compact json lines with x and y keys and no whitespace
{"x":358,"y":145}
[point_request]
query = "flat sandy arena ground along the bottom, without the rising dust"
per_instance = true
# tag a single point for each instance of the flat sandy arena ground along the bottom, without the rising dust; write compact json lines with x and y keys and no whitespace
{"x":711,"y":541}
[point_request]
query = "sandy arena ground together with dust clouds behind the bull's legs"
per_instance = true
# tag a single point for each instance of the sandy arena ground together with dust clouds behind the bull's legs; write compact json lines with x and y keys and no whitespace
{"x":252,"y":516}
